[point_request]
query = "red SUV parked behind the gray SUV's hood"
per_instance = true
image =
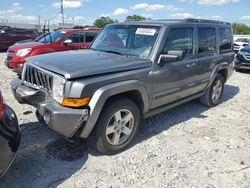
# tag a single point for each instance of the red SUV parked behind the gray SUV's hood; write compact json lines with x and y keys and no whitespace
{"x":62,"y":40}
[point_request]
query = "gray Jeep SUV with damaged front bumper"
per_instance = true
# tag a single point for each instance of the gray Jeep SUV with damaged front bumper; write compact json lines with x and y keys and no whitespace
{"x":133,"y":70}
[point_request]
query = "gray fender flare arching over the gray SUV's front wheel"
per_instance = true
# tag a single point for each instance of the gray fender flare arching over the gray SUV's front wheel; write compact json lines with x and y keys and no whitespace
{"x":102,"y":94}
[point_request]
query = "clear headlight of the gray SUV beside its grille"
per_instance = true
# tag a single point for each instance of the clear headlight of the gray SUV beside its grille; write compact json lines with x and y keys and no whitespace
{"x":58,"y":88}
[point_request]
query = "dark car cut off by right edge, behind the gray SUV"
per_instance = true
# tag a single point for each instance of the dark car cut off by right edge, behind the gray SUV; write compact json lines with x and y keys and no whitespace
{"x":242,"y":59}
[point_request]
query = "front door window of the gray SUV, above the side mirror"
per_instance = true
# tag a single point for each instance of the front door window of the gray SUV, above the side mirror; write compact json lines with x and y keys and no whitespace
{"x":179,"y":39}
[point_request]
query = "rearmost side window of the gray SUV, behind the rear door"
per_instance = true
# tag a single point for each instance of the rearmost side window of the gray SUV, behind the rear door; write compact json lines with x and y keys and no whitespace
{"x":225,"y":39}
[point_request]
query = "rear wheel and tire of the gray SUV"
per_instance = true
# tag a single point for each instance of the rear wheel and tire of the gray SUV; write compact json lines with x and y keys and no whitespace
{"x":212,"y":96}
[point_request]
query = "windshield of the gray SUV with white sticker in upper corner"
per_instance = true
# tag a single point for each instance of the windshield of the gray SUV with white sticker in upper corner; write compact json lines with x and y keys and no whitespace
{"x":134,"y":40}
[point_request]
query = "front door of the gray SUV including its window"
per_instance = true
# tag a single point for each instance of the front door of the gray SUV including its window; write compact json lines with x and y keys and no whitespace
{"x":174,"y":80}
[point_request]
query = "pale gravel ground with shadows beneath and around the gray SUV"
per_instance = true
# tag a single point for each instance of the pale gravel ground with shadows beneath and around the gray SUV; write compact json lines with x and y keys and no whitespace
{"x":188,"y":146}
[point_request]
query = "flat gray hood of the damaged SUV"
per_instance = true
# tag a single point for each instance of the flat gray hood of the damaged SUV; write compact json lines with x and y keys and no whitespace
{"x":75,"y":64}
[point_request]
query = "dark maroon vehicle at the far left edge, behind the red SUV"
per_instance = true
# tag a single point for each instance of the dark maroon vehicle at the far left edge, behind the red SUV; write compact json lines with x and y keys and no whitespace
{"x":9,"y":36}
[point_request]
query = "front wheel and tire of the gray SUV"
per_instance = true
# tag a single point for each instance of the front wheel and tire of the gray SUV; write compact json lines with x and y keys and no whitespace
{"x":110,"y":137}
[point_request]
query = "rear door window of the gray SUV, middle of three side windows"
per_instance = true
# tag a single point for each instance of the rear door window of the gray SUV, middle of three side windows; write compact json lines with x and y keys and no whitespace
{"x":207,"y":40}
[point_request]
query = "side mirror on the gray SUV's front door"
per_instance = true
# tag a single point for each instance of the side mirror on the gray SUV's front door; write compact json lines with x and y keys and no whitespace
{"x":172,"y":55}
